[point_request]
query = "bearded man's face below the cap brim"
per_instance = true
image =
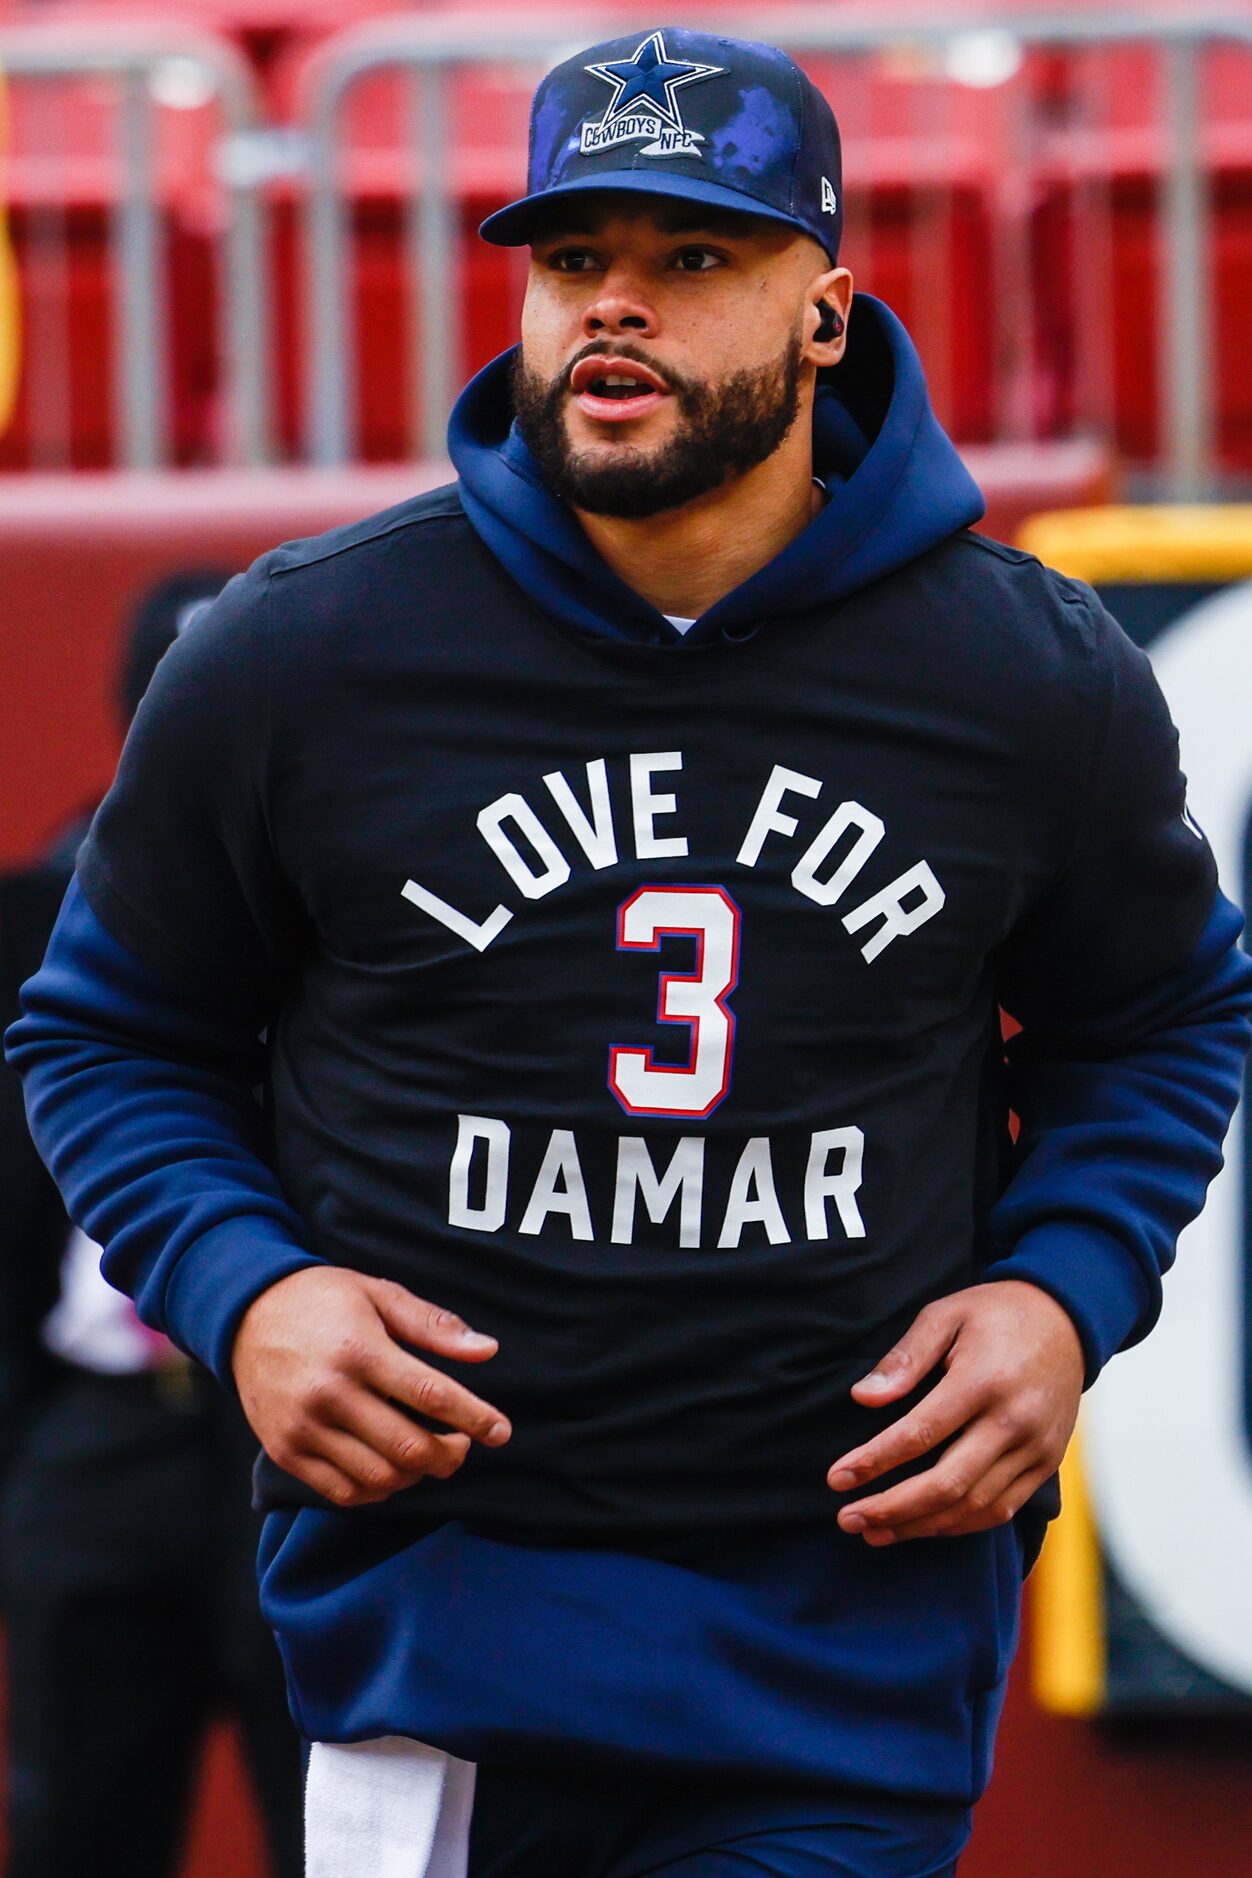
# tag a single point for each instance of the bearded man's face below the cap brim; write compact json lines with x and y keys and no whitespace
{"x":662,"y":348}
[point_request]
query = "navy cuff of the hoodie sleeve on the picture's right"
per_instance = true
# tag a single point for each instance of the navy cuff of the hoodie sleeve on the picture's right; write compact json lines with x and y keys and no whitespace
{"x":1092,"y":1276}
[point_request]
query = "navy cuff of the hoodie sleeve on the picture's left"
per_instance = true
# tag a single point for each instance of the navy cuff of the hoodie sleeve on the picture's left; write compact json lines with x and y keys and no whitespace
{"x":217,"y":1280}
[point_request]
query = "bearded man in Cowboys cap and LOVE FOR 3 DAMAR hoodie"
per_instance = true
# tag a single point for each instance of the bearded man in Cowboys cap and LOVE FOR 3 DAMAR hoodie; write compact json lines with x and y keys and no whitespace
{"x":626,"y":854}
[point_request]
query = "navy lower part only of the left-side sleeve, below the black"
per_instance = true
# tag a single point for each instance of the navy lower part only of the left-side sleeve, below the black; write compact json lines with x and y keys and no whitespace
{"x":140,"y":1100}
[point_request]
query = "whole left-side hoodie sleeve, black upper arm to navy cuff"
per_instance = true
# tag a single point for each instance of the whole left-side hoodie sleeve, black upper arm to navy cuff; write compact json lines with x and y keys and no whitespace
{"x":140,"y":1043}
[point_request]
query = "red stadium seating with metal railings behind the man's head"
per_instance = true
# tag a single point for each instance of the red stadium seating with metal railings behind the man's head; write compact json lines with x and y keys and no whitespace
{"x":245,"y":230}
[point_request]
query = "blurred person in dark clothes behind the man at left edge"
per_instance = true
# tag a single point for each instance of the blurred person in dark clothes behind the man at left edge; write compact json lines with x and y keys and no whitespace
{"x":127,"y":1535}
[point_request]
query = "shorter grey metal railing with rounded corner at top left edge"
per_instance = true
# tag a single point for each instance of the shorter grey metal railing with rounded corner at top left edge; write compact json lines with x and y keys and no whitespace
{"x":130,"y":57}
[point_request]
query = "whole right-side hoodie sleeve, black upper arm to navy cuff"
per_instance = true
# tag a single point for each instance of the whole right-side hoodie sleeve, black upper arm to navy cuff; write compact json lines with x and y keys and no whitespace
{"x":1135,"y":1002}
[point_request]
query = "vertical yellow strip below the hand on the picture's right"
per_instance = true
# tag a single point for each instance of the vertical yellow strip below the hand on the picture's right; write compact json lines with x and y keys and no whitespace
{"x":1067,"y":1607}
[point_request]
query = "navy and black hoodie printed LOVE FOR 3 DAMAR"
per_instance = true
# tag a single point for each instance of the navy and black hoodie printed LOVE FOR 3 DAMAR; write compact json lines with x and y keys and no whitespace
{"x":639,"y":998}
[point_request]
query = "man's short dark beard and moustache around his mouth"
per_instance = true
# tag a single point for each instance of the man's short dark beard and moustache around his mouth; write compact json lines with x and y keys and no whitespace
{"x":724,"y":431}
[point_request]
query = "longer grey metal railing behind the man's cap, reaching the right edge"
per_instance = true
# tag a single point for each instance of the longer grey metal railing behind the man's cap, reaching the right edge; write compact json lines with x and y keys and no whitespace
{"x":431,"y":50}
